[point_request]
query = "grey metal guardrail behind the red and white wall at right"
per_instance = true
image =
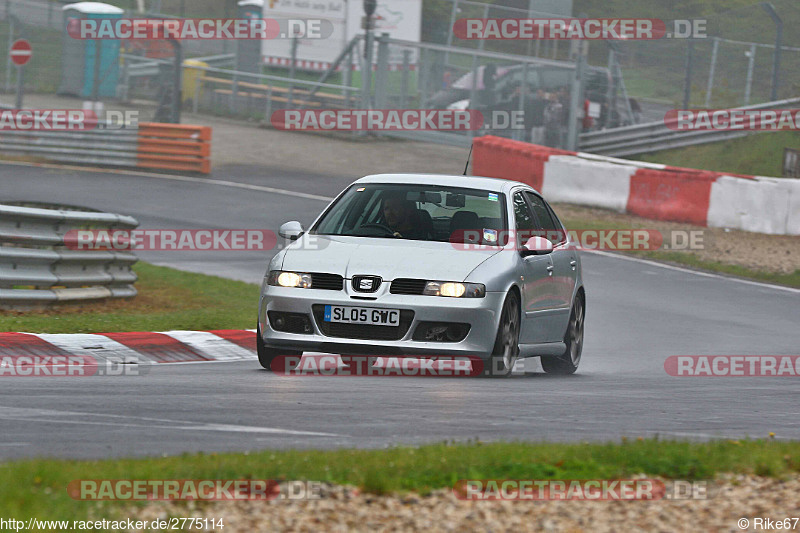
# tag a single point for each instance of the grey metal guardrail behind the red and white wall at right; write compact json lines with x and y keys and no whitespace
{"x":654,"y":136}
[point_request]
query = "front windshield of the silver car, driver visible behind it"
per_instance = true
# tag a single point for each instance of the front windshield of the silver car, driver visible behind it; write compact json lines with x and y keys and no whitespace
{"x":417,"y":212}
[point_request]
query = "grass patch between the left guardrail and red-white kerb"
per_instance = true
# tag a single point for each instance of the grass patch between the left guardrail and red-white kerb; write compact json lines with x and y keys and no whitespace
{"x":168,"y":299}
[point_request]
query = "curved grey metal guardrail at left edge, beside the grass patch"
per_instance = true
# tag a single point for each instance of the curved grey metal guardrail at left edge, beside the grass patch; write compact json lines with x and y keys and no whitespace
{"x":37,"y":268}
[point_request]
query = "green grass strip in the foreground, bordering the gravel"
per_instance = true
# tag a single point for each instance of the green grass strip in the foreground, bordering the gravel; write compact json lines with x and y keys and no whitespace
{"x":38,"y":487}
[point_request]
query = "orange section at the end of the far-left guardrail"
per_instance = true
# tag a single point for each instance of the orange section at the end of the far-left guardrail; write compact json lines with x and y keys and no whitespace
{"x":174,"y":147}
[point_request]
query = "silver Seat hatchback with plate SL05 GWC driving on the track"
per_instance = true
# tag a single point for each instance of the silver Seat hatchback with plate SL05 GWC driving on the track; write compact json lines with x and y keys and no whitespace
{"x":428,"y":265}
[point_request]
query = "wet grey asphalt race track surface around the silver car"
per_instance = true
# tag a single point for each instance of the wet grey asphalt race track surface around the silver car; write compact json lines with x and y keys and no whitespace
{"x":638,"y":314}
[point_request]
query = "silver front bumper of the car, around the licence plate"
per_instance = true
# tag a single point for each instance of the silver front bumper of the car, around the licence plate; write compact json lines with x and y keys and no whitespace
{"x":482,"y":314}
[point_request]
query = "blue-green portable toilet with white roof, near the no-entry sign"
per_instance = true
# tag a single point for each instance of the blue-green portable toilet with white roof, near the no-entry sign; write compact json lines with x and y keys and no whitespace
{"x":78,"y":55}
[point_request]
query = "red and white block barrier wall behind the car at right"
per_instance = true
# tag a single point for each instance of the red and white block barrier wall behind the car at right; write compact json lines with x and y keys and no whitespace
{"x":700,"y":197}
